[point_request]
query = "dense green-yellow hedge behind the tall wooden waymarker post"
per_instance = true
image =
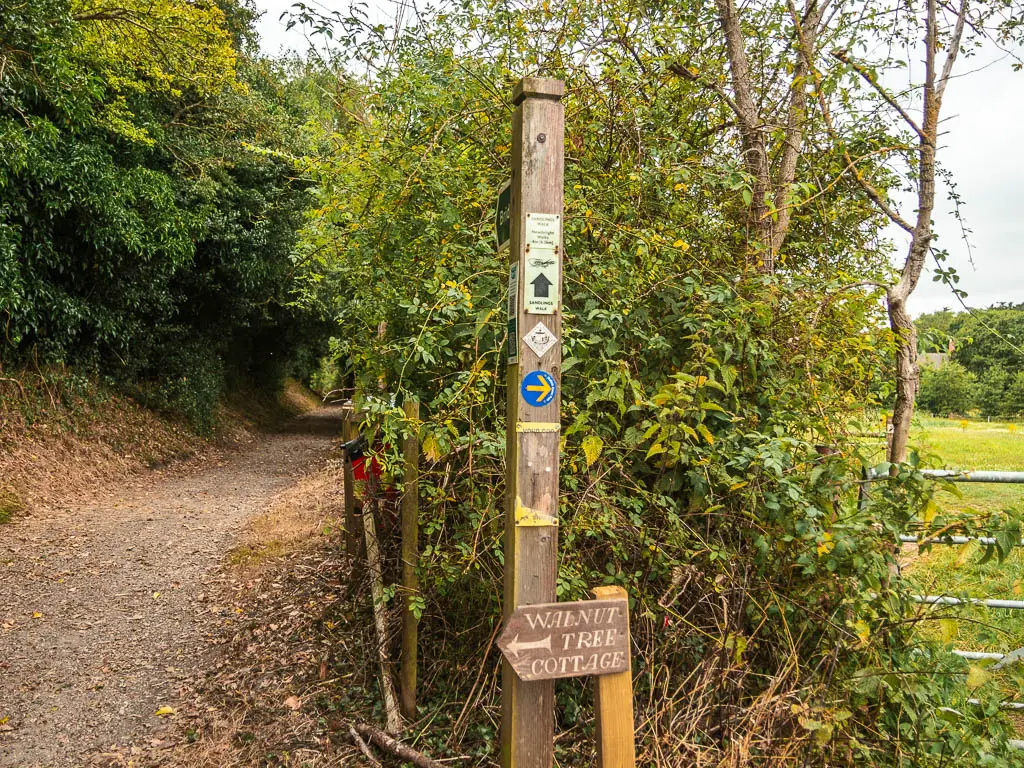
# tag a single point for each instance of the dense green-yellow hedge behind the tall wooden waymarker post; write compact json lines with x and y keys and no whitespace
{"x":708,"y":459}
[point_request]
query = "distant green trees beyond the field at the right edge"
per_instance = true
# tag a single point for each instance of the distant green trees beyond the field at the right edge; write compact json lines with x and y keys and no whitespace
{"x":986,"y":369}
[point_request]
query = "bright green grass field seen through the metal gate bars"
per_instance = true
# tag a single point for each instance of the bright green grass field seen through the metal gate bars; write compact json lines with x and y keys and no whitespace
{"x":957,"y":570}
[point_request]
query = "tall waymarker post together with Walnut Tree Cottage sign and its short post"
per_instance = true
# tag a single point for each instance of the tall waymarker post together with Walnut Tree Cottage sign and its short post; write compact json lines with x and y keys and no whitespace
{"x":543,"y":639}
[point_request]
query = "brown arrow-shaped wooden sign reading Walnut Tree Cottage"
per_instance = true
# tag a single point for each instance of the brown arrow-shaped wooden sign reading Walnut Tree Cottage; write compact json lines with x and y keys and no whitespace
{"x":557,"y":641}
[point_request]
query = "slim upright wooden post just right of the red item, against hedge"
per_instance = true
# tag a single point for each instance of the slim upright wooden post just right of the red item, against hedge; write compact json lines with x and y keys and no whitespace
{"x":410,"y":561}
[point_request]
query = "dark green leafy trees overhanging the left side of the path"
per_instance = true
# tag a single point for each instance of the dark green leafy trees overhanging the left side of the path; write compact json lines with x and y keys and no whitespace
{"x":149,"y":202}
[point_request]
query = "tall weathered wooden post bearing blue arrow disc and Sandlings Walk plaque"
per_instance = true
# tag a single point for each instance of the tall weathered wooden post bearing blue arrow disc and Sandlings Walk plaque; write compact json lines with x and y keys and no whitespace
{"x":534,"y":400}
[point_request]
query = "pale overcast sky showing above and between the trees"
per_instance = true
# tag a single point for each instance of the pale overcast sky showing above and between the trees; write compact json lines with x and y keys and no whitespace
{"x":984,"y":147}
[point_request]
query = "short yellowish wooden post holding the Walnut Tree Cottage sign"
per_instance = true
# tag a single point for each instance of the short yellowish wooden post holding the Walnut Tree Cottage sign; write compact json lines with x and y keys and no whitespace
{"x":614,"y":705}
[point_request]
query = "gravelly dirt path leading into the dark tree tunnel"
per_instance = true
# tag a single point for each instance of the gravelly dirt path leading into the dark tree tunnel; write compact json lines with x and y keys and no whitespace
{"x":103,"y":608}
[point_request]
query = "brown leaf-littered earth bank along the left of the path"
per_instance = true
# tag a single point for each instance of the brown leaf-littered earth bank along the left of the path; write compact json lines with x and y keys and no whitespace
{"x":64,"y":437}
